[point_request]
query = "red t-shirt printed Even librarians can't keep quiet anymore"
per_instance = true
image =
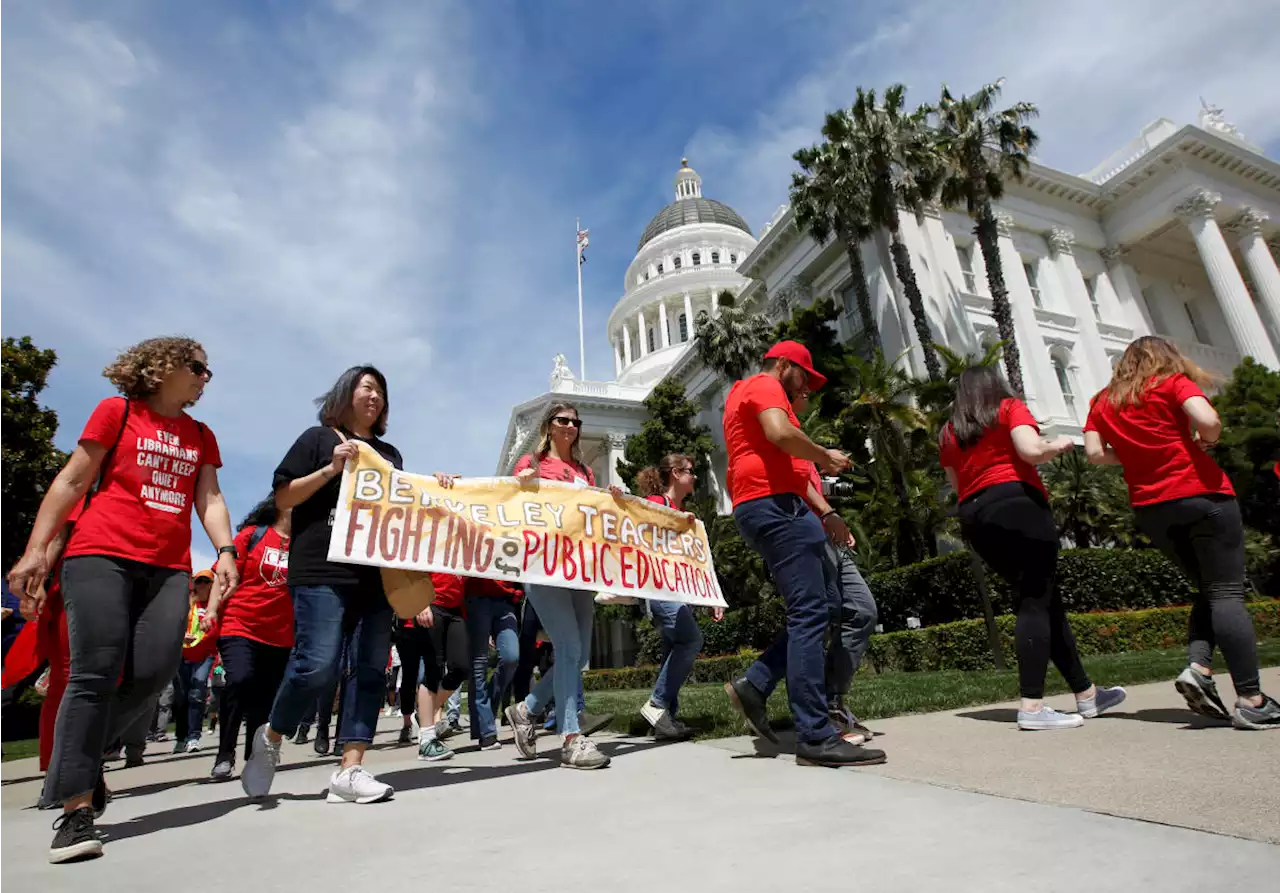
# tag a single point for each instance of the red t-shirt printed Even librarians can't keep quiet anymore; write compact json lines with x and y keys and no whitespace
{"x":143,"y":511}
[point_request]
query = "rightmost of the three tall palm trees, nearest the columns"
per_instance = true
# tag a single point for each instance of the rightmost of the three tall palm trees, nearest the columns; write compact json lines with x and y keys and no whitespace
{"x":980,"y":149}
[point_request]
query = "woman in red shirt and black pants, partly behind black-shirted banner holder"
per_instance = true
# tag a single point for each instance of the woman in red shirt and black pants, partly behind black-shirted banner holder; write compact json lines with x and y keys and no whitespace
{"x":255,"y":630}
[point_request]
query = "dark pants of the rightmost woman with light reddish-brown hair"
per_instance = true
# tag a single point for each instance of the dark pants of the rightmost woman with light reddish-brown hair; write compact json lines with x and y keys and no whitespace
{"x":1205,"y":538}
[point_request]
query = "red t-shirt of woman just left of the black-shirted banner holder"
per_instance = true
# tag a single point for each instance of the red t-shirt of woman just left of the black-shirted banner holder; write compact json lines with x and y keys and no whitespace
{"x":262,"y":608}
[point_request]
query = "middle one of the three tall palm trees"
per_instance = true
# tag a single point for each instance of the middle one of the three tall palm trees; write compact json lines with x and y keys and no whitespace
{"x":889,"y":144}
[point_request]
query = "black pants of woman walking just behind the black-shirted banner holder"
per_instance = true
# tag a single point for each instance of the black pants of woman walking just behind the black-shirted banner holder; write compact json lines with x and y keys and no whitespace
{"x":254,"y":672}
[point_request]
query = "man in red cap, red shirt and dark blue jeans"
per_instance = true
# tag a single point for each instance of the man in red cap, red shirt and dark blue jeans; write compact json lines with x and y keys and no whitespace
{"x":769,"y":477}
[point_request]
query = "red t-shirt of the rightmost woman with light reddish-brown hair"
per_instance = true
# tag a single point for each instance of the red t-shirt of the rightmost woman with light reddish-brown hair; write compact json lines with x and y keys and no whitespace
{"x":1154,"y":442}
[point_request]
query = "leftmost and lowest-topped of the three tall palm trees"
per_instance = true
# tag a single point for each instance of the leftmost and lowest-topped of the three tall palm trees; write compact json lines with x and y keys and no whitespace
{"x":830,"y":198}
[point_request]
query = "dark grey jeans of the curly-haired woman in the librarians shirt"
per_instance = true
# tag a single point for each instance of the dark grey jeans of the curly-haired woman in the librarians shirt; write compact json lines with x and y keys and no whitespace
{"x":125,"y":625}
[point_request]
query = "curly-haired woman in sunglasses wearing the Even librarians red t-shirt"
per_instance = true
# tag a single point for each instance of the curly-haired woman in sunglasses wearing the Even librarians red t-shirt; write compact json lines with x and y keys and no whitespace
{"x":141,"y":466}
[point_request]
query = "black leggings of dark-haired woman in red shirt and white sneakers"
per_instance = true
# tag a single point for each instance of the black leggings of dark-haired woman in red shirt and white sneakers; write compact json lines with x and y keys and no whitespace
{"x":1012,"y":528}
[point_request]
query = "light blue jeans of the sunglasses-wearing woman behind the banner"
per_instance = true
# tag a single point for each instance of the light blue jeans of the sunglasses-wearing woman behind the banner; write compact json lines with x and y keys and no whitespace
{"x":566,"y":616}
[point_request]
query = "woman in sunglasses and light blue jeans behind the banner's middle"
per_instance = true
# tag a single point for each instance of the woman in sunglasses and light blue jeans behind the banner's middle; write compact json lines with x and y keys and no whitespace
{"x":566,"y":615}
